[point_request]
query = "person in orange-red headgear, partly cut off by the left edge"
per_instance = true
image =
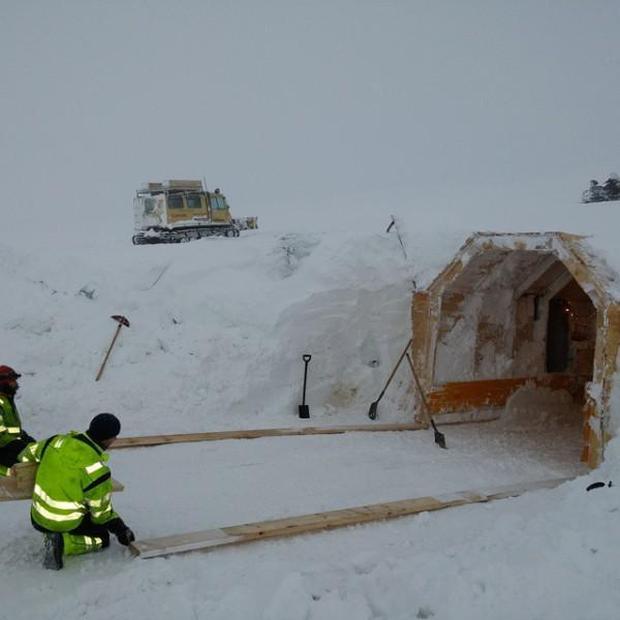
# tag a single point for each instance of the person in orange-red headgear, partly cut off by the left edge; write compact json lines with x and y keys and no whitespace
{"x":13,"y":439}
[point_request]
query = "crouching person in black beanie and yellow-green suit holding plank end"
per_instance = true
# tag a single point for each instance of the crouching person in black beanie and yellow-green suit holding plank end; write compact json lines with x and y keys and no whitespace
{"x":71,"y":501}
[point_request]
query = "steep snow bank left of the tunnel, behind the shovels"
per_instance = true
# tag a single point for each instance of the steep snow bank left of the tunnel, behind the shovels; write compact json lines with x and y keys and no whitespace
{"x":218,"y":328}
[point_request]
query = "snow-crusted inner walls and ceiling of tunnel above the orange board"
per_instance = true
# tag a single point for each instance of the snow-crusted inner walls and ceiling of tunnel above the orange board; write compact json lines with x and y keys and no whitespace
{"x":513,"y":315}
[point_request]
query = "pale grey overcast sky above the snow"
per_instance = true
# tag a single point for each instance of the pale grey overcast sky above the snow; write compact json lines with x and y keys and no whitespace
{"x":301,"y":107}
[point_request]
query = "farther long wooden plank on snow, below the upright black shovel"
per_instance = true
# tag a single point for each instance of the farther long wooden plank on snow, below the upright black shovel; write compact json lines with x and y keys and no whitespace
{"x":158,"y":440}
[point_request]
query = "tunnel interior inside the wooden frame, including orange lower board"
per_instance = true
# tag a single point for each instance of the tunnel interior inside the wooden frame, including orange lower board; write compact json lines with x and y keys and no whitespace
{"x":513,"y":331}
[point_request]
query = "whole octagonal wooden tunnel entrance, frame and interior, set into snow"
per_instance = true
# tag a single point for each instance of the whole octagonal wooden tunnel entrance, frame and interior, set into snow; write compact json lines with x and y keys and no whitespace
{"x":515,"y":311}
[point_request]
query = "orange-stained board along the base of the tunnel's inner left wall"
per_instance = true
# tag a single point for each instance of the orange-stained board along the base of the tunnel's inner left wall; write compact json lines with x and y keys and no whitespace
{"x":464,"y":395}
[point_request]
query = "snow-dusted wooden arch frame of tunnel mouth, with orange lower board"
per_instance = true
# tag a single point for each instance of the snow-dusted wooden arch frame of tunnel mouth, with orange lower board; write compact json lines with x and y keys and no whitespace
{"x":592,"y":275}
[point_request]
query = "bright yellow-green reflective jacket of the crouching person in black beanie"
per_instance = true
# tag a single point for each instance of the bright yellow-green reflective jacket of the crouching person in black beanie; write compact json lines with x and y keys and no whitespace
{"x":72,"y":480}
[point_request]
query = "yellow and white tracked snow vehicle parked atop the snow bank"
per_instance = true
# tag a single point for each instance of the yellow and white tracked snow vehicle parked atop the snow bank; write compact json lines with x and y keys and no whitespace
{"x":182,"y":210}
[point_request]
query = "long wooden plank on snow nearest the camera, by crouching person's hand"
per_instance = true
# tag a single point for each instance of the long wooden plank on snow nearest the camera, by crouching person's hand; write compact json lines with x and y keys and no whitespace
{"x":237,"y":534}
